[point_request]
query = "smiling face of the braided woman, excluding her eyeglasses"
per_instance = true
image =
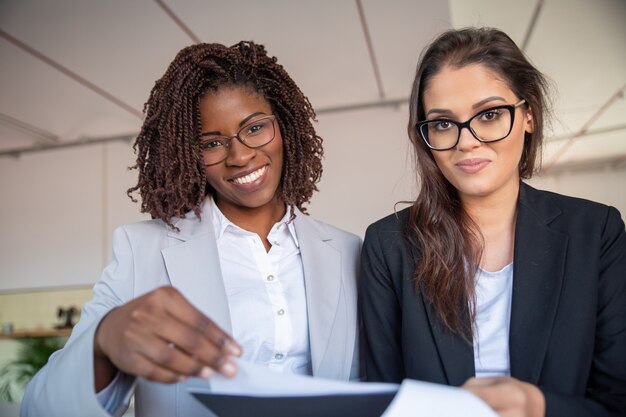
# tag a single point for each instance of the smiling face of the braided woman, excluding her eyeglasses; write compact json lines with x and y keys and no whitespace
{"x":247,"y":178}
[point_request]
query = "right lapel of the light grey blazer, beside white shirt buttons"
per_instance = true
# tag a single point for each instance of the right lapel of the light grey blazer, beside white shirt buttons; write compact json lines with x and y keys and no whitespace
{"x":322,"y":280}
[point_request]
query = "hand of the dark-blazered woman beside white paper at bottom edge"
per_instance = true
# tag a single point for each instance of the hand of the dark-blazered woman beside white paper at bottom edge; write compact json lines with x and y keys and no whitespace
{"x":509,"y":397}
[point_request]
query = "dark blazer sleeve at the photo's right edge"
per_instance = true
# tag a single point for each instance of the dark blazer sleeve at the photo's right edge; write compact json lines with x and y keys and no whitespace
{"x":606,"y":387}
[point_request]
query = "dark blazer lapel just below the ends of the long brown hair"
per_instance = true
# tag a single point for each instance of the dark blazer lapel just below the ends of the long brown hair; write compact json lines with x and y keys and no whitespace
{"x":456,"y":354}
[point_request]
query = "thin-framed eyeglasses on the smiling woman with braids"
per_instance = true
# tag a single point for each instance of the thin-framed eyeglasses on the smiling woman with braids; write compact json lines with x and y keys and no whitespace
{"x":254,"y":135}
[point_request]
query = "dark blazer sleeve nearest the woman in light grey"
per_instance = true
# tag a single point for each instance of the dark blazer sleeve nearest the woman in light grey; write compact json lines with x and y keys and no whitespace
{"x":380,"y":312}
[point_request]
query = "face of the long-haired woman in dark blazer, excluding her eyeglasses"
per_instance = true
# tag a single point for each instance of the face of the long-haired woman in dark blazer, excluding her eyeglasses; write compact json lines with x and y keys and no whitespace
{"x":474,"y":168}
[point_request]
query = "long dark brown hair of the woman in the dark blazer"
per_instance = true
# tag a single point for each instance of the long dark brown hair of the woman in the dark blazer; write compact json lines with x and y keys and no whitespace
{"x":444,"y":241}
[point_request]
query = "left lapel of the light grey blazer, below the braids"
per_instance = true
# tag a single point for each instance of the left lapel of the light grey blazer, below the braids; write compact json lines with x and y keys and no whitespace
{"x":193,"y":266}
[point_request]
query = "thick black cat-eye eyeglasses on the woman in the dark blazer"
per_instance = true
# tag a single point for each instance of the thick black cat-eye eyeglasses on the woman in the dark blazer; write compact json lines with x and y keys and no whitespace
{"x":489,"y":125}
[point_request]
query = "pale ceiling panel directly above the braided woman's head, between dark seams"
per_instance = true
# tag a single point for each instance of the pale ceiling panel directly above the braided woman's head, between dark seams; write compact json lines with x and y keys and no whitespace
{"x":320,"y":43}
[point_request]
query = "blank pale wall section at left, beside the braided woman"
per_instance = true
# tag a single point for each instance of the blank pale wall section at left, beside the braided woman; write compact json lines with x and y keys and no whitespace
{"x":57,"y":213}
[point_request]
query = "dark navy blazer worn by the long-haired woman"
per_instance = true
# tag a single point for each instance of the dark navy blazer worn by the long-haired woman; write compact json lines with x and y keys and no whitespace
{"x":568,"y":313}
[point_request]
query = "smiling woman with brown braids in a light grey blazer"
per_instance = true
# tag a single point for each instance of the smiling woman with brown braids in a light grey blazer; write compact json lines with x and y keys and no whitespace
{"x":229,"y":266}
